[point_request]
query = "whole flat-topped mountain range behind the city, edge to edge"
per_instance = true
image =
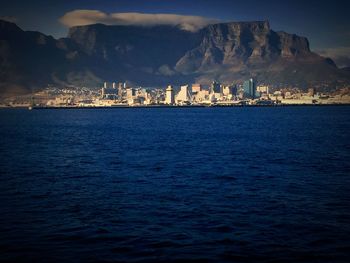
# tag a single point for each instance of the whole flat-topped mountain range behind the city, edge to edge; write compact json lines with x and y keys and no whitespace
{"x":158,"y":55}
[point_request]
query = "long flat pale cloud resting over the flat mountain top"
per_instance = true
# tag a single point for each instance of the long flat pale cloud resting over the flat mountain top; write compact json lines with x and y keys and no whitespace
{"x":87,"y":17}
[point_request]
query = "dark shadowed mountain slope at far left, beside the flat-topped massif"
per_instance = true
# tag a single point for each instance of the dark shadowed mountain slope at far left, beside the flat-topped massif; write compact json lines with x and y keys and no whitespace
{"x":31,"y":60}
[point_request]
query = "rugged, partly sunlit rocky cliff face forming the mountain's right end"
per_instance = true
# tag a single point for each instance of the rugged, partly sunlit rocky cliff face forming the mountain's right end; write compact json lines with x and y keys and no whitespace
{"x":235,"y":51}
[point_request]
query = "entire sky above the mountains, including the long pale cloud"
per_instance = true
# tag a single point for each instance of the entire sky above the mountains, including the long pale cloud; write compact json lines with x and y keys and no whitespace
{"x":325,"y":23}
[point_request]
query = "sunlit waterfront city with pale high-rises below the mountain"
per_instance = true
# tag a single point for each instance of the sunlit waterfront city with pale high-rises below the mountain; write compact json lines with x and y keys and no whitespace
{"x":120,"y":94}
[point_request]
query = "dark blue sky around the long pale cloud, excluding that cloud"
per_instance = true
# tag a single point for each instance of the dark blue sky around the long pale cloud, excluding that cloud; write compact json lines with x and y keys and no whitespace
{"x":325,"y":23}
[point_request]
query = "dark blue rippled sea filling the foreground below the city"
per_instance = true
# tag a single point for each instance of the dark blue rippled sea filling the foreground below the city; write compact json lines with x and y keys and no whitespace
{"x":175,"y":185}
